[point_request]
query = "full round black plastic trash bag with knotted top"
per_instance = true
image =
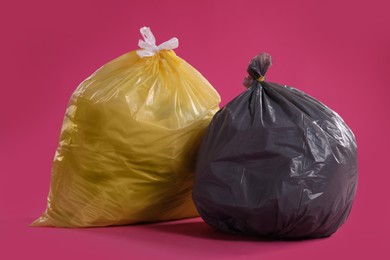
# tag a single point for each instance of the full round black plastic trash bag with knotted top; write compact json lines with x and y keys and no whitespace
{"x":276,"y":163}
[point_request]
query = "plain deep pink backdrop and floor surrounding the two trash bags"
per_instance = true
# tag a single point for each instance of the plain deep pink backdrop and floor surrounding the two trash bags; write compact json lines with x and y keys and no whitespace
{"x":337,"y":51}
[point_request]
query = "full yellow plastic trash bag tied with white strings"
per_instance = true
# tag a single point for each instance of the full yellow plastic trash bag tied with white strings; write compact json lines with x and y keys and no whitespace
{"x":129,"y":140}
